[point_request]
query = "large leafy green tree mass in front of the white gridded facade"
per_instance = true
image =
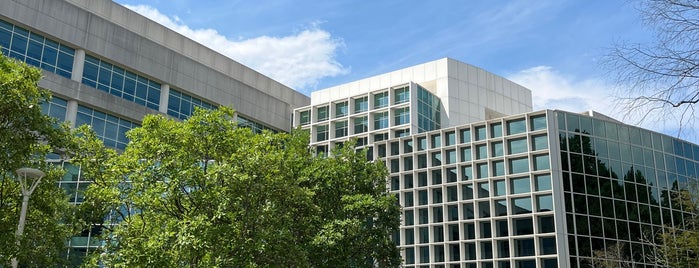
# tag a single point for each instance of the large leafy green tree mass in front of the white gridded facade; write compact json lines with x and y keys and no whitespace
{"x":205,"y":193}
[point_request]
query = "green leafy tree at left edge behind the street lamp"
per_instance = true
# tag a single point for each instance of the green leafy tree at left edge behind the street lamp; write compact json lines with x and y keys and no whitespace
{"x":26,"y":137}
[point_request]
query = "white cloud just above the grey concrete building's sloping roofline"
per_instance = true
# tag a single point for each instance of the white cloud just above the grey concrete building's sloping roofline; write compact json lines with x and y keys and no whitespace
{"x":298,"y":61}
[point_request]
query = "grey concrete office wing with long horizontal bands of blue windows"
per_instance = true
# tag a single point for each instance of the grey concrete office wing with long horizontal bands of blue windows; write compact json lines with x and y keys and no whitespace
{"x":108,"y":67}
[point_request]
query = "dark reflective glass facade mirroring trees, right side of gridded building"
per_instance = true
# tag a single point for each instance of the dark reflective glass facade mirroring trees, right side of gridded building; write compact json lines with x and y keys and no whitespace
{"x":621,"y":187}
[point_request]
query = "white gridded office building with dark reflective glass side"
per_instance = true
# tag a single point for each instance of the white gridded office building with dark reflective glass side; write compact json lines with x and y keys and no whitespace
{"x":498,"y":185}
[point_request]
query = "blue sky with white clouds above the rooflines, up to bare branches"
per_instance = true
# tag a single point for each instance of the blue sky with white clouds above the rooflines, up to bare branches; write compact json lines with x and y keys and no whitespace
{"x":552,"y":47}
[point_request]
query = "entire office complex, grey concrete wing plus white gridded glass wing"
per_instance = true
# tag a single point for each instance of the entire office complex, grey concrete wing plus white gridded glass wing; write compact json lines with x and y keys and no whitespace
{"x":483,"y":180}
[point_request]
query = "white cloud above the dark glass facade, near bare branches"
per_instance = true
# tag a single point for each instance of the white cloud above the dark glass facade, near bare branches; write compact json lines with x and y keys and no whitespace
{"x":554,"y":90}
